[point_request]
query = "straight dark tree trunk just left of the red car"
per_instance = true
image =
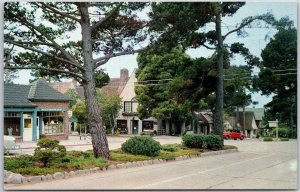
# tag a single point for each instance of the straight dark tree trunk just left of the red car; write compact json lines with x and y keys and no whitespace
{"x":218,"y":120}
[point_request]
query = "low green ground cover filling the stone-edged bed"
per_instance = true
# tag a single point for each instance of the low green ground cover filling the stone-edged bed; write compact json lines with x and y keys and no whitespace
{"x":76,"y":160}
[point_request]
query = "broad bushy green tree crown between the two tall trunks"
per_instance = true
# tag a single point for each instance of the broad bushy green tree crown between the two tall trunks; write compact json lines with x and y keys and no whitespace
{"x":182,"y":84}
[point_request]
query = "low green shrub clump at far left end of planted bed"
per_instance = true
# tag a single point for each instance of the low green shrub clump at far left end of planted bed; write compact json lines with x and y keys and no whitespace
{"x":22,"y":161}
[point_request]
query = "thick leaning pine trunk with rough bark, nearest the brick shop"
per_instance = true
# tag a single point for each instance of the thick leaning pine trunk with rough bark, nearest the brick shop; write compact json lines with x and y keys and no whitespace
{"x":99,"y":140}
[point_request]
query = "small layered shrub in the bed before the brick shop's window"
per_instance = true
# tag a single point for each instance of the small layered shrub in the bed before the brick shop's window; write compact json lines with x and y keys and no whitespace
{"x":49,"y":150}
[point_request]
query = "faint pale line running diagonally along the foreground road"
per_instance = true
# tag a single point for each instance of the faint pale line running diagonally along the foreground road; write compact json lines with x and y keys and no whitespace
{"x":200,"y":172}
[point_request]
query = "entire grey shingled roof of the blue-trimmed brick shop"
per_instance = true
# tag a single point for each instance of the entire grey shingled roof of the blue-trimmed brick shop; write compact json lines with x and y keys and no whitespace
{"x":16,"y":95}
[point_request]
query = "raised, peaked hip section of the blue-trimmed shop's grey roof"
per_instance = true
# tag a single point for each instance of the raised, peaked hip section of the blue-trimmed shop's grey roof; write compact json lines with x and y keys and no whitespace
{"x":40,"y":90}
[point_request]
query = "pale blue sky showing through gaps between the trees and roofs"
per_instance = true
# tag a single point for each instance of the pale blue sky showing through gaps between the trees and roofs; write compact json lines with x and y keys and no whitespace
{"x":255,"y":41}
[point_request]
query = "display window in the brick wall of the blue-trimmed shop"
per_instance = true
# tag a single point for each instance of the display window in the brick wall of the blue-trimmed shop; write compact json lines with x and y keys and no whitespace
{"x":53,"y":122}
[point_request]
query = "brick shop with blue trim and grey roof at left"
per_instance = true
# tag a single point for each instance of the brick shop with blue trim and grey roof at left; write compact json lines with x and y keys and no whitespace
{"x":35,"y":110}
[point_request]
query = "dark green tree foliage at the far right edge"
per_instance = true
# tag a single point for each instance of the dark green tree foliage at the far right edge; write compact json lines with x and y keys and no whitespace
{"x":280,"y":57}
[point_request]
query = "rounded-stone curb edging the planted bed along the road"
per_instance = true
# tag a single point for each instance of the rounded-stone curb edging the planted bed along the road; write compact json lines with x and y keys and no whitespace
{"x":13,"y":178}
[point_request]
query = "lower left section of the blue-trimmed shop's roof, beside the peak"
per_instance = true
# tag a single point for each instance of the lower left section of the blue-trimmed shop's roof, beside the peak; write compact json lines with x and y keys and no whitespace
{"x":17,"y":96}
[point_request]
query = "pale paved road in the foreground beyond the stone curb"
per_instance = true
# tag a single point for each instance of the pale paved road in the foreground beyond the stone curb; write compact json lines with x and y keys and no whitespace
{"x":257,"y":165}
